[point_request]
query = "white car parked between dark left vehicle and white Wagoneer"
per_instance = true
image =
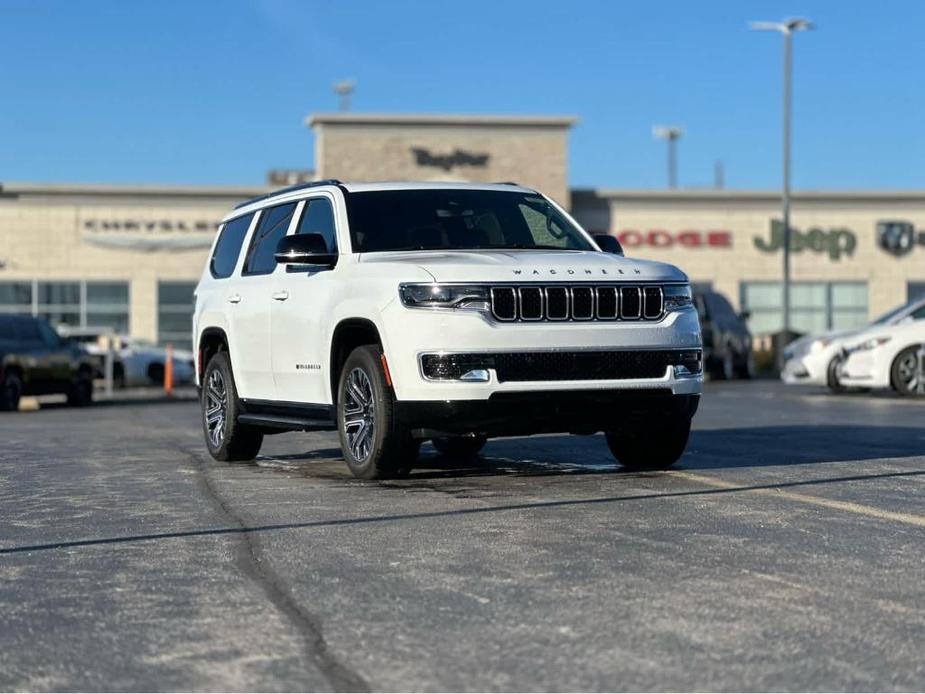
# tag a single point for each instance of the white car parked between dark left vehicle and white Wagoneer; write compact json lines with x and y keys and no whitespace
{"x":136,"y":362}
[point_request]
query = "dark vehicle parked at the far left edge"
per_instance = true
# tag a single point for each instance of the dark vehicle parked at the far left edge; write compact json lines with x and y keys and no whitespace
{"x":35,"y":360}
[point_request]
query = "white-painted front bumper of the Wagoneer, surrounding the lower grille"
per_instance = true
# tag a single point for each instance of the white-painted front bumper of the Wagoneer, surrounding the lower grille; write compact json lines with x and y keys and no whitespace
{"x":418,"y":332}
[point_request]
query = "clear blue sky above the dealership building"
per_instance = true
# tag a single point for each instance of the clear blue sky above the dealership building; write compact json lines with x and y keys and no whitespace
{"x":216,"y":92}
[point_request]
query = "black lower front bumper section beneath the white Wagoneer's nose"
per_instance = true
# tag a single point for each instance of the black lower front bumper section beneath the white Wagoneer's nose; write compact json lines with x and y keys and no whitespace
{"x":522,"y":414}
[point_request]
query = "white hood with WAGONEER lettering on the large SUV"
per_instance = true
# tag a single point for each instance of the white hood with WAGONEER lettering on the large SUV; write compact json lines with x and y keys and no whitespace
{"x":530,"y":266}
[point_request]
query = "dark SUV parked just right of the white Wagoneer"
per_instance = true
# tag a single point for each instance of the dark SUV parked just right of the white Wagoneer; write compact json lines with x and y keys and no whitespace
{"x":727,"y":343}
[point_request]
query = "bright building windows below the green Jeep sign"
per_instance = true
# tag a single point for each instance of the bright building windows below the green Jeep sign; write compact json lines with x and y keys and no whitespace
{"x":814,"y":306}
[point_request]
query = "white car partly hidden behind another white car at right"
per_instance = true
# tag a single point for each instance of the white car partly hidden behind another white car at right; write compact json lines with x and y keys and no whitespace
{"x":818,"y":359}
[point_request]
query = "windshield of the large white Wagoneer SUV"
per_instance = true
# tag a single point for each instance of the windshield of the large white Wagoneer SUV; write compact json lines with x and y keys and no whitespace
{"x":399,"y":220}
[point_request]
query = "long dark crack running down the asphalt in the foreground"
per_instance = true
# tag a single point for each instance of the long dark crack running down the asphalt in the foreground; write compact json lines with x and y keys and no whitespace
{"x":340,"y":677}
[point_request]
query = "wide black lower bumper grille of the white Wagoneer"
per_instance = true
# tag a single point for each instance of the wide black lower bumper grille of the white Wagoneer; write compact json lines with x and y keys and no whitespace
{"x":562,"y":366}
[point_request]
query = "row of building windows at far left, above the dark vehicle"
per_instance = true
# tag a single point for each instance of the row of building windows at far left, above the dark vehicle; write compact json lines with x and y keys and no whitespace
{"x":82,"y":304}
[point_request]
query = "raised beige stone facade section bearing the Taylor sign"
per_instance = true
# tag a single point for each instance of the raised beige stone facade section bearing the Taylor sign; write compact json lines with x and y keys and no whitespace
{"x":532,"y":151}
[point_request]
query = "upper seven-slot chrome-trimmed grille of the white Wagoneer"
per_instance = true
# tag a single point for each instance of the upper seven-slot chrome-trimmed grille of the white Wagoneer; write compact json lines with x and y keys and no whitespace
{"x":577,"y":303}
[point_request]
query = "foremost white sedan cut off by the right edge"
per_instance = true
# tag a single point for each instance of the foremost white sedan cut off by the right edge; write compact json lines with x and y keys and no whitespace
{"x":887,"y":357}
